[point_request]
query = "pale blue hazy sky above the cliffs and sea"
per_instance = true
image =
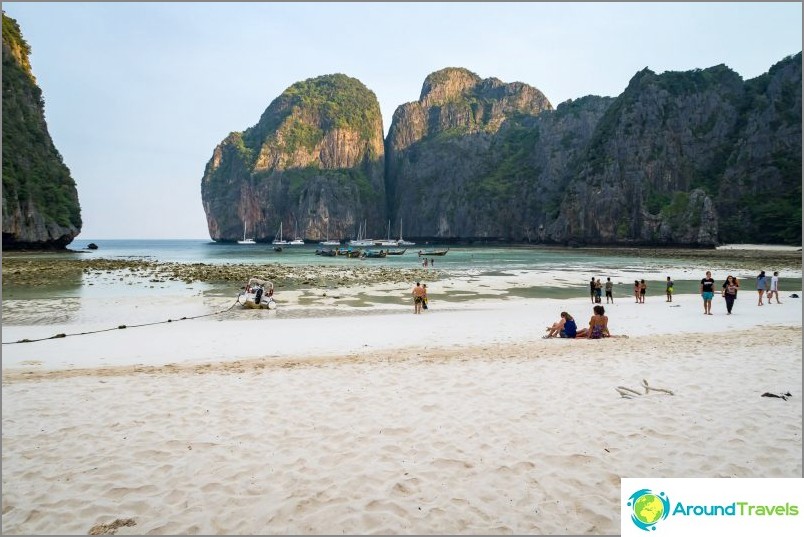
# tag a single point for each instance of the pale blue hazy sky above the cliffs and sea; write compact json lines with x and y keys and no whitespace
{"x":138,"y":95}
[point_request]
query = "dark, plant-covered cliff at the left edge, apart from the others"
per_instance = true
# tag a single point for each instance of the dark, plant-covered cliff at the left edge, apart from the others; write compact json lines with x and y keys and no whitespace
{"x":40,"y":201}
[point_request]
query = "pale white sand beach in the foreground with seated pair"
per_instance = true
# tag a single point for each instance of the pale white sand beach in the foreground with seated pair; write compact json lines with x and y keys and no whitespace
{"x":460,"y":420}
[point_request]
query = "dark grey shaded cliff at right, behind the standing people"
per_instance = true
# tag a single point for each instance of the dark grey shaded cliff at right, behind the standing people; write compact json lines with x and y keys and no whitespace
{"x":678,"y":153}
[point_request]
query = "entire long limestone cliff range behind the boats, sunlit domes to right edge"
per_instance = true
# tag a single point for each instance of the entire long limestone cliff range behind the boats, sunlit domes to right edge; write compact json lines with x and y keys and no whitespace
{"x":692,"y":158}
